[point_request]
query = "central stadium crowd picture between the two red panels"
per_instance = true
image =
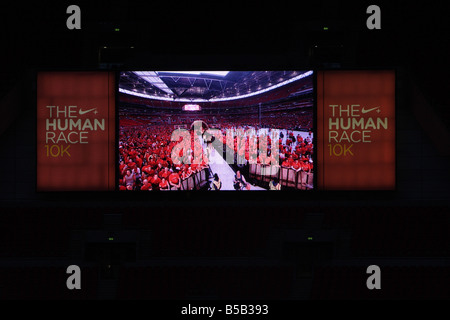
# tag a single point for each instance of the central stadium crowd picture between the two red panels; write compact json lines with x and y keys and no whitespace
{"x":215,"y":130}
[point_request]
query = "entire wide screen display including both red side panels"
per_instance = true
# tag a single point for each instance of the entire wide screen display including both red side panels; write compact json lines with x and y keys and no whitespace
{"x":139,"y":131}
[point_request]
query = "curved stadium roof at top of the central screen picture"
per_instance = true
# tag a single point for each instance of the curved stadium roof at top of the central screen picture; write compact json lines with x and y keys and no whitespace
{"x":204,"y":86}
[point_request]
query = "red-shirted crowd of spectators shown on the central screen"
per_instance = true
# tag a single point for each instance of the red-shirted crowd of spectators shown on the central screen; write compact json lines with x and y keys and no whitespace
{"x":145,"y":153}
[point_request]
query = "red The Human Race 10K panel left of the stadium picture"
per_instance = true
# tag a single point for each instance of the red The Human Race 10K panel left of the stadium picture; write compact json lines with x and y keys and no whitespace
{"x":75,"y":131}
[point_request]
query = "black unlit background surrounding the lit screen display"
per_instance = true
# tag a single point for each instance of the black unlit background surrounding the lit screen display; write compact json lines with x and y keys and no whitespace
{"x":288,"y":247}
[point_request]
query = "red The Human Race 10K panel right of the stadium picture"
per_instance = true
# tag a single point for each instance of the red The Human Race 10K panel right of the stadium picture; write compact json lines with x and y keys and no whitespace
{"x":356,"y":130}
